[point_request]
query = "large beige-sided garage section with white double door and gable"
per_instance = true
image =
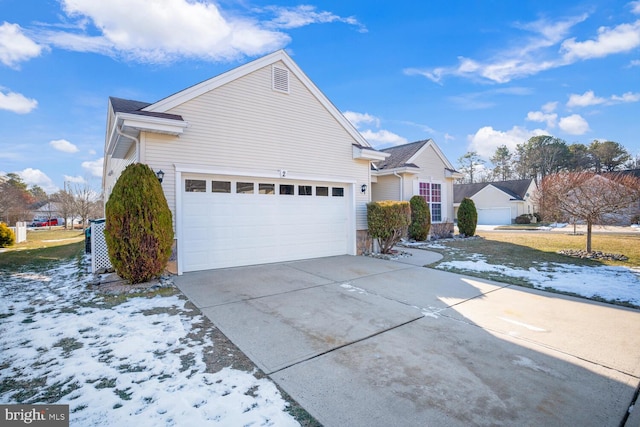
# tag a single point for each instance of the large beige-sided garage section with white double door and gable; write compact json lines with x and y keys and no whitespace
{"x":259,"y":166}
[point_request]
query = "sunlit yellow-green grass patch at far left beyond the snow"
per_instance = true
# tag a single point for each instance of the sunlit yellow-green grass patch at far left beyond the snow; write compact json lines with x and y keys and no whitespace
{"x":41,"y":249}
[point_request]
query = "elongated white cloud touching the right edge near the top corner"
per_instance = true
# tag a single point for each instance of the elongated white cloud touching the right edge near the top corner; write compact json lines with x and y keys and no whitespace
{"x":621,"y":38}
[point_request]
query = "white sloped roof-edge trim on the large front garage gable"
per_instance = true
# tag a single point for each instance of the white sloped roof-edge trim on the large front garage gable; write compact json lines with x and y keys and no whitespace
{"x":279,"y":56}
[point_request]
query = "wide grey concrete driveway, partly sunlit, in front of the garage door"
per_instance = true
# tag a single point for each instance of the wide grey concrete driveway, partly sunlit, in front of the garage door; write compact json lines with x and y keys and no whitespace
{"x":359,"y":341}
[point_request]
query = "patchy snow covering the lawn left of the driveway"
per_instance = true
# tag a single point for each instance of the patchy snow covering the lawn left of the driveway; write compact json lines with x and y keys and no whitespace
{"x":131,"y":364}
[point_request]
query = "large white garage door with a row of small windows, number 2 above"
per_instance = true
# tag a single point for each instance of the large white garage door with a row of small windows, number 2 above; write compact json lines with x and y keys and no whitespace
{"x":228,"y":222}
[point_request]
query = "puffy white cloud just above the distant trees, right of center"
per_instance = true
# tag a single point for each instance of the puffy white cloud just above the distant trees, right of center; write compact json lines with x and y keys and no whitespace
{"x":487,"y":139}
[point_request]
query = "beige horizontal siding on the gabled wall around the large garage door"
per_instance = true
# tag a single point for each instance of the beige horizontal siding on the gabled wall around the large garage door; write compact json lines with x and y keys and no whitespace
{"x":246,"y":125}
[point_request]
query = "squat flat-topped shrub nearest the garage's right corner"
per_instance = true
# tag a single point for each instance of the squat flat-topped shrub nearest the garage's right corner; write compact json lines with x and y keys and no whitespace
{"x":388,"y":222}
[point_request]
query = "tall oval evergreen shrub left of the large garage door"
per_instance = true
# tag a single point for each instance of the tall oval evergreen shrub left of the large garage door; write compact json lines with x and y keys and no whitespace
{"x":138,"y":229}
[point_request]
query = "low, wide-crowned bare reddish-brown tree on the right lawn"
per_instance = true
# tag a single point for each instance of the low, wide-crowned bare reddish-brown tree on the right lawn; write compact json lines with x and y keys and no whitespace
{"x":590,"y":197}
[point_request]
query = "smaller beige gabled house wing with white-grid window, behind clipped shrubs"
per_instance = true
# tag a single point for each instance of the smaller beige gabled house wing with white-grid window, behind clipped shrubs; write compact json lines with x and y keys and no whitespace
{"x":417,"y":168}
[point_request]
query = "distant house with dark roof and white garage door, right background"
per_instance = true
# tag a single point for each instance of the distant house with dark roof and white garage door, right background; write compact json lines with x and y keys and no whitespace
{"x":498,"y":203}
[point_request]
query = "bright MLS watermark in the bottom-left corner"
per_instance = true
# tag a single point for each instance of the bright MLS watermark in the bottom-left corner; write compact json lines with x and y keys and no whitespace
{"x":34,"y":415}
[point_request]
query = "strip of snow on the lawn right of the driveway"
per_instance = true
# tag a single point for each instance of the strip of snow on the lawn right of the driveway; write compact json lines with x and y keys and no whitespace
{"x":619,"y":284}
